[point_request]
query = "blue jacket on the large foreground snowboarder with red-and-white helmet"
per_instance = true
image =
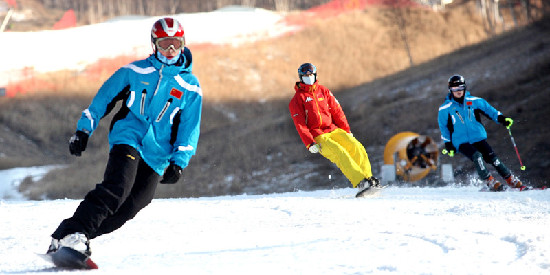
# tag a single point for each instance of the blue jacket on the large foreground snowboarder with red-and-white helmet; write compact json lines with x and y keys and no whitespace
{"x":160,"y":114}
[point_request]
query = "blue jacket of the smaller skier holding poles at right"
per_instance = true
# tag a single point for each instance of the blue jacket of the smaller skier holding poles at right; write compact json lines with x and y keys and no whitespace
{"x":461,"y":123}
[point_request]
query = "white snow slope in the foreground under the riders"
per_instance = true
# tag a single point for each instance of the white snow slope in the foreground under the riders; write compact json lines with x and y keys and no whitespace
{"x":448,"y":230}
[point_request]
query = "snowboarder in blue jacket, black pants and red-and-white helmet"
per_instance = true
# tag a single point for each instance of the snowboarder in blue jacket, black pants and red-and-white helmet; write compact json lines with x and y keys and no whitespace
{"x":153,"y":135}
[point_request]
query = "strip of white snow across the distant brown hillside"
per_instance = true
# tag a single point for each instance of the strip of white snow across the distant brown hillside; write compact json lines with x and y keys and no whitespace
{"x":75,"y":48}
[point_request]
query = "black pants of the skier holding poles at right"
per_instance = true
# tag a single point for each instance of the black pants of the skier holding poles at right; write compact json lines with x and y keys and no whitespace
{"x":481,"y":151}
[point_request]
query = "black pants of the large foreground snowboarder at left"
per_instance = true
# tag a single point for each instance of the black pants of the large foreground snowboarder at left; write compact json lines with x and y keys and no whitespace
{"x":128,"y":186}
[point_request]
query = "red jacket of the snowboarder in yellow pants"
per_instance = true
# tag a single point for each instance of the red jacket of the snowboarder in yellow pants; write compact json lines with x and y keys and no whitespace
{"x":315,"y":111}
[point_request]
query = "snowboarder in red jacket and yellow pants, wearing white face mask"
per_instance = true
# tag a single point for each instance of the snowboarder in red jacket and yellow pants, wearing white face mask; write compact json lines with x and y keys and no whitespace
{"x":323,"y":128}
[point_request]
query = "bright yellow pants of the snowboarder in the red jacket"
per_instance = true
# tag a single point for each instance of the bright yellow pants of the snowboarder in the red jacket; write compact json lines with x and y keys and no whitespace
{"x":347,"y":153}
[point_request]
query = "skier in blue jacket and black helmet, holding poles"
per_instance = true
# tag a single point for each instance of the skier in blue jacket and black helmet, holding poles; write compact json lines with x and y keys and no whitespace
{"x":459,"y":121}
